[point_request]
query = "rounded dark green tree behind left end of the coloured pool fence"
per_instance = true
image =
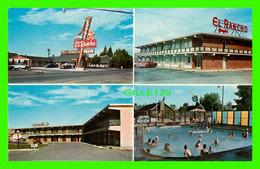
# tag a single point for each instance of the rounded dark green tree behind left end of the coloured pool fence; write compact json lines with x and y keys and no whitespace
{"x":211,"y":101}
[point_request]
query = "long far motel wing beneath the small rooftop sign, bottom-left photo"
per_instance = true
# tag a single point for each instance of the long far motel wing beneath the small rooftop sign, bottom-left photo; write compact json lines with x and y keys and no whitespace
{"x":51,"y":134}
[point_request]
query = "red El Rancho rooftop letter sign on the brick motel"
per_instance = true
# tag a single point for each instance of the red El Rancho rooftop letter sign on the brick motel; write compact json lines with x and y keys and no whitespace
{"x":225,"y":25}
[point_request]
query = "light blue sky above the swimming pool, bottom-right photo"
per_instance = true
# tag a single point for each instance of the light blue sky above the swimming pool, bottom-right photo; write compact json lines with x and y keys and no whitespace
{"x":181,"y":94}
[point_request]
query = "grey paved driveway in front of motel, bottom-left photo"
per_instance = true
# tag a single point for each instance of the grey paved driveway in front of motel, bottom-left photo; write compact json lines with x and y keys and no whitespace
{"x":71,"y":152}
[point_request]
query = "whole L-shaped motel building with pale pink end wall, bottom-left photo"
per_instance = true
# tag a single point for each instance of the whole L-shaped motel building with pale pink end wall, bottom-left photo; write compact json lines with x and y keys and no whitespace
{"x":111,"y":126}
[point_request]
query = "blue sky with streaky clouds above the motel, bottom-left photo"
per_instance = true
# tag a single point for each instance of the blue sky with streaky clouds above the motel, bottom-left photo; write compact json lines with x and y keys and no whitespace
{"x":60,"y":105}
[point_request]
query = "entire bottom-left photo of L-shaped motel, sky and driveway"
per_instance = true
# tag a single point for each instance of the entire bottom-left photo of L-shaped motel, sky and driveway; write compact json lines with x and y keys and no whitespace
{"x":70,"y":123}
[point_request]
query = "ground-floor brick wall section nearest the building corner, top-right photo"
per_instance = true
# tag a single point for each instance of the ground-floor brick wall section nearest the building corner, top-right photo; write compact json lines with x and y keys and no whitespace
{"x":212,"y":62}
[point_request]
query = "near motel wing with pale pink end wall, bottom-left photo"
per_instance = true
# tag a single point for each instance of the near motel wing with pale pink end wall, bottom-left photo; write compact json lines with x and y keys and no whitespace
{"x":111,"y":126}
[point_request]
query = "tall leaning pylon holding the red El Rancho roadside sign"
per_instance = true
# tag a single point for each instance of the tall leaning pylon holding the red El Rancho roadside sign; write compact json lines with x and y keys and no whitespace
{"x":86,"y":27}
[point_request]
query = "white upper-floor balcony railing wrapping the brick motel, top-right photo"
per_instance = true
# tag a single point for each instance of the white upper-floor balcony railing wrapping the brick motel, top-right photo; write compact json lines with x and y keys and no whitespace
{"x":197,"y":49}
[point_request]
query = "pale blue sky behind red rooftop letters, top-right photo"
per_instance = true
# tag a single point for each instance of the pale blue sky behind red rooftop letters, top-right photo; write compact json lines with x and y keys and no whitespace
{"x":157,"y":24}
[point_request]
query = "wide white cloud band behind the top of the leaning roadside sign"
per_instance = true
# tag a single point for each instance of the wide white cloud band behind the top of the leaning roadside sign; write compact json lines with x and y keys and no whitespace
{"x":100,"y":19}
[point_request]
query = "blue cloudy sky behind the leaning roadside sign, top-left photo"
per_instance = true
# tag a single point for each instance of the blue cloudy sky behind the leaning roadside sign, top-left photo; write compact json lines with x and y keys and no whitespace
{"x":32,"y":31}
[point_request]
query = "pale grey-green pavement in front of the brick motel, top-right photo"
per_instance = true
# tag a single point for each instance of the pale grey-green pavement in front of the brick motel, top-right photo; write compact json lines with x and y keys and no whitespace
{"x":170,"y":76}
